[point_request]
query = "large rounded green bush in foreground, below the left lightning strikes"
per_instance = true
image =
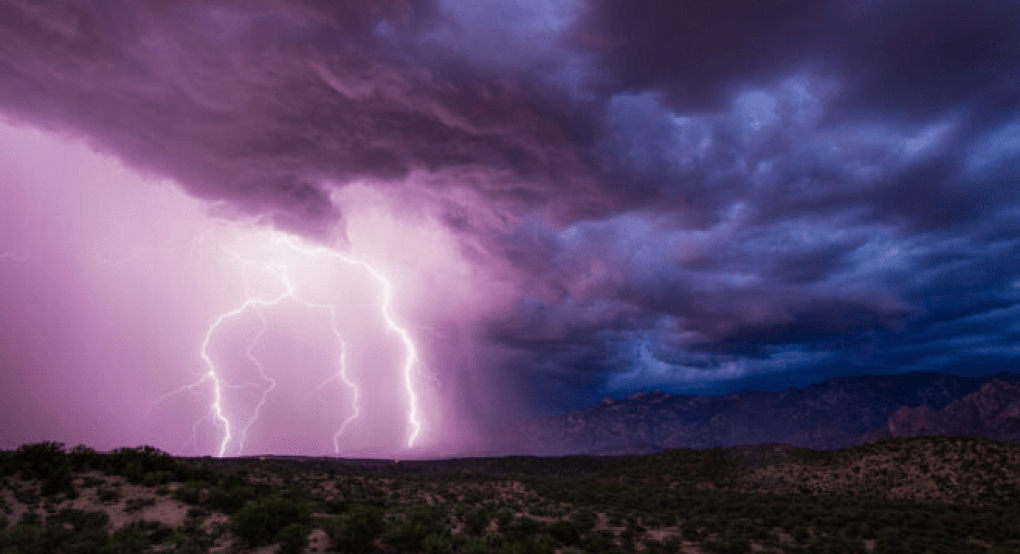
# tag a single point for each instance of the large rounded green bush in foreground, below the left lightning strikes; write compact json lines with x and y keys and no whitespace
{"x":259,"y":522}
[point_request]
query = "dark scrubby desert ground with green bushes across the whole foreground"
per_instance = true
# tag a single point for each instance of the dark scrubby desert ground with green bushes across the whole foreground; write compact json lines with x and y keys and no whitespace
{"x":937,"y":494}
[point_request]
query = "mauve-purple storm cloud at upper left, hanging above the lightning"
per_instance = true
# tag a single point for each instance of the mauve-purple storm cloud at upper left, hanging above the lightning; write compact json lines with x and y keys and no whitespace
{"x":263,"y":107}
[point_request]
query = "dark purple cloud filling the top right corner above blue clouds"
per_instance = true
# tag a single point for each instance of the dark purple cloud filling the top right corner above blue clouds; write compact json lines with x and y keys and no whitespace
{"x":897,"y":58}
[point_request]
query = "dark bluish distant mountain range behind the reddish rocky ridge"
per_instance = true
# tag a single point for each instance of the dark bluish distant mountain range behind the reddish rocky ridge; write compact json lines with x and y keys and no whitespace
{"x":829,"y":416}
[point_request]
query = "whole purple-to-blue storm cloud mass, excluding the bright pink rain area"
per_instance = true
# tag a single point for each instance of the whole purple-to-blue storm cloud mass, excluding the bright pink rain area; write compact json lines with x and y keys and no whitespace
{"x":679,"y":188}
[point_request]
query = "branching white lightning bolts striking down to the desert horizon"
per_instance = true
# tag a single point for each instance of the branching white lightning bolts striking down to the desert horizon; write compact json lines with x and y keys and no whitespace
{"x":281,"y":270}
